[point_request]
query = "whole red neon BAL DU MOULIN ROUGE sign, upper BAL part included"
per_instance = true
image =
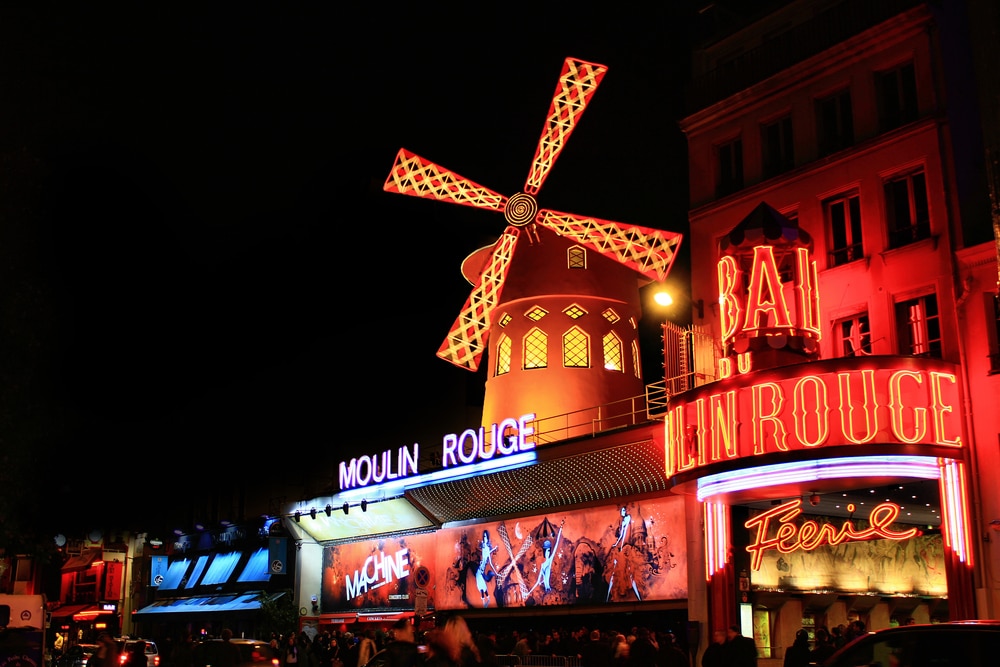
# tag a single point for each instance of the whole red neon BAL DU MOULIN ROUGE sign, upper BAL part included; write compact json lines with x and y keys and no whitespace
{"x":856,"y":401}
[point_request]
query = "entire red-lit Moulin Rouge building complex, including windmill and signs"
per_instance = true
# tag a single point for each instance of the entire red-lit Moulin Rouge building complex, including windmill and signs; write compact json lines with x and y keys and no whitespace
{"x":823,"y":454}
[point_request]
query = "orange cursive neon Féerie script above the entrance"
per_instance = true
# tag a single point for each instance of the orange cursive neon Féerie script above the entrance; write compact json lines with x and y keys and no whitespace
{"x":790,"y":537}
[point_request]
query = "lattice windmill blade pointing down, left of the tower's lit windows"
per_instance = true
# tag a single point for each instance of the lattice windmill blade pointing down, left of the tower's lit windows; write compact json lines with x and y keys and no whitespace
{"x":466,"y":340}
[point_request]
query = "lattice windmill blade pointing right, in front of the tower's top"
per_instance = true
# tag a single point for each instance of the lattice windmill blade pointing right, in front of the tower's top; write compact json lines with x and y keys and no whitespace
{"x":649,"y":251}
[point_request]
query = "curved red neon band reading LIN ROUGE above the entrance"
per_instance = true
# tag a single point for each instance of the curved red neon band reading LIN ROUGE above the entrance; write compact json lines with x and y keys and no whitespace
{"x":903,"y":401}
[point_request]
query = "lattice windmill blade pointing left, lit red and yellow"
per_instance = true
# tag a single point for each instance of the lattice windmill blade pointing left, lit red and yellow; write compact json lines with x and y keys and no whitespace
{"x":413,"y":175}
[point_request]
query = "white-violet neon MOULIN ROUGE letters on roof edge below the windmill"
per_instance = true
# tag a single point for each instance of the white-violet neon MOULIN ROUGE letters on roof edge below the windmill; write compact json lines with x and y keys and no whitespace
{"x":503,"y":440}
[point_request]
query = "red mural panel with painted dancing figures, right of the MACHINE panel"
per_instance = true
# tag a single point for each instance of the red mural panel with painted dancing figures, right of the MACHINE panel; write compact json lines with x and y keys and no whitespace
{"x":622,"y":553}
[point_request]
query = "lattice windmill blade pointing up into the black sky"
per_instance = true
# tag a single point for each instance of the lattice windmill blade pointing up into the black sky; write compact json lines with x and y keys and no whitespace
{"x":577,"y":84}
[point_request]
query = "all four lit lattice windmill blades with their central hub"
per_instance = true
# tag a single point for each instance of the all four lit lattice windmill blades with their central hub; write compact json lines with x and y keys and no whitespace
{"x":648,"y":251}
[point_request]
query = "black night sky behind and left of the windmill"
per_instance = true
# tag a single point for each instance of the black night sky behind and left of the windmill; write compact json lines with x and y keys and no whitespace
{"x":201,"y":275}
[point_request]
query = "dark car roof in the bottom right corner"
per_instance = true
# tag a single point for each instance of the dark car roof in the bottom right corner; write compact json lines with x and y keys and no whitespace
{"x":950,"y":644}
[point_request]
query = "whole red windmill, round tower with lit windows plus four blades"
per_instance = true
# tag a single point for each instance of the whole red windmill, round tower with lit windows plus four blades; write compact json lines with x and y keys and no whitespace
{"x":556,"y":298}
